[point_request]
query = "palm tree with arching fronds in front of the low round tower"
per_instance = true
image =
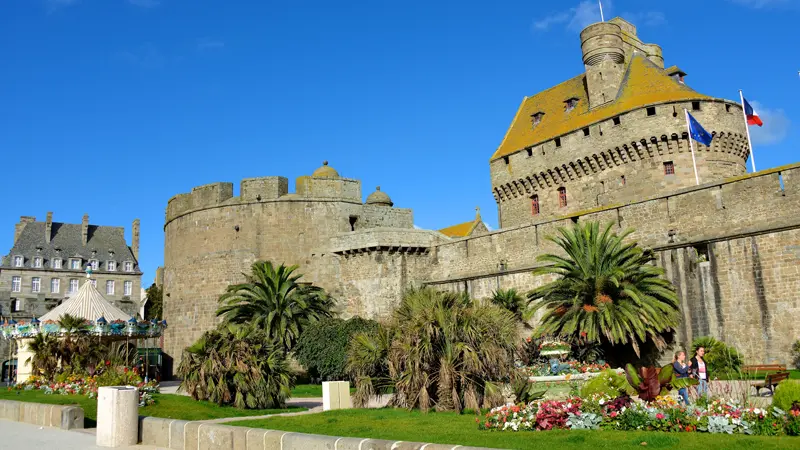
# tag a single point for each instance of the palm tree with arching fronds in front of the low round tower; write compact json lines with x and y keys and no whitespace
{"x":274,"y":301}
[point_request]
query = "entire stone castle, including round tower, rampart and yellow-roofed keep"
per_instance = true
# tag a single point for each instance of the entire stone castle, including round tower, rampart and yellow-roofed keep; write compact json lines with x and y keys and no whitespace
{"x":610,"y":145}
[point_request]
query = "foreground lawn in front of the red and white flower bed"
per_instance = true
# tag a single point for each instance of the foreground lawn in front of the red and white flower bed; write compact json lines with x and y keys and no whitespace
{"x":450,"y":428}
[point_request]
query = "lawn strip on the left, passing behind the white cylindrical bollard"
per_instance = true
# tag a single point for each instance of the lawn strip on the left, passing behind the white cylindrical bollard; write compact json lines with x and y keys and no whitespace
{"x":167,"y":406}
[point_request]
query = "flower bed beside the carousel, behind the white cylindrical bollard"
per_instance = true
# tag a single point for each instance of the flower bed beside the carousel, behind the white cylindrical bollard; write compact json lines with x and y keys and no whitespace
{"x":78,"y":385}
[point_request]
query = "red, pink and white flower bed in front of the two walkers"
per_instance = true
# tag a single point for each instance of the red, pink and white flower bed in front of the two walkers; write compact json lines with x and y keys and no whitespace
{"x":623,"y":413}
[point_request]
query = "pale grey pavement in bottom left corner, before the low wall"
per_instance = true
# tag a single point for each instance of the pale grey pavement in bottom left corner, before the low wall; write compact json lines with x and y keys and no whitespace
{"x":23,"y":435}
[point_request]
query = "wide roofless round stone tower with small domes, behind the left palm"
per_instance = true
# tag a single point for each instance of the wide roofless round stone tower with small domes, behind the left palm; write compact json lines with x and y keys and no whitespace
{"x":211,"y":238}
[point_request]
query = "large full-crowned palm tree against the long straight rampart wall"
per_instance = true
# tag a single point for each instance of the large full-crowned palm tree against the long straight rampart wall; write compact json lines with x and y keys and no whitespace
{"x":607,"y":291}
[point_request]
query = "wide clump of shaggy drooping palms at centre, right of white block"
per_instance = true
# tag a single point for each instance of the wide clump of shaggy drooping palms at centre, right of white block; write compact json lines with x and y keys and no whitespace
{"x":440,"y":349}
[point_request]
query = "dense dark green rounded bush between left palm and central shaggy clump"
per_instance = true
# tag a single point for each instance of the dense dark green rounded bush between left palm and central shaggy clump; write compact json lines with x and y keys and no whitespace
{"x":322,"y":347}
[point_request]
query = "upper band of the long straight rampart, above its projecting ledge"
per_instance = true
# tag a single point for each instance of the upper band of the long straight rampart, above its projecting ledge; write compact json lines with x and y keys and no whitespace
{"x":737,"y":206}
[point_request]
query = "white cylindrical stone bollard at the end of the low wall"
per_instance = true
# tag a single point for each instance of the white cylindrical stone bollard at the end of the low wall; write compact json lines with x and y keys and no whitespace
{"x":117,"y":416}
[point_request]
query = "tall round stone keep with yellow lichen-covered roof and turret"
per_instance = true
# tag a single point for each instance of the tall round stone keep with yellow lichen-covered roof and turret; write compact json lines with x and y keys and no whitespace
{"x":612,"y":135}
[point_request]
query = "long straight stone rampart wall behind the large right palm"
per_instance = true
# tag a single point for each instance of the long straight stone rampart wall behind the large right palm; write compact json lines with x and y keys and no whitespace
{"x":731,"y":248}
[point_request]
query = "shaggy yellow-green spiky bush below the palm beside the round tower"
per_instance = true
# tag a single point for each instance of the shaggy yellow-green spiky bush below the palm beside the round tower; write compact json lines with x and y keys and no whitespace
{"x":236,"y":366}
